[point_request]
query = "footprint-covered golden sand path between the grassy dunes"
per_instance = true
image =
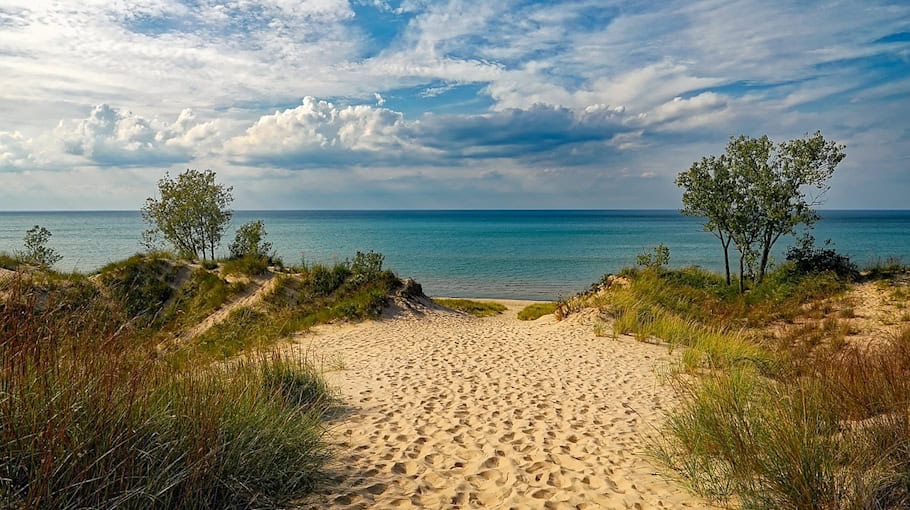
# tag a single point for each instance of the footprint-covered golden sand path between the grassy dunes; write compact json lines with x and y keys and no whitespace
{"x":445,"y":410}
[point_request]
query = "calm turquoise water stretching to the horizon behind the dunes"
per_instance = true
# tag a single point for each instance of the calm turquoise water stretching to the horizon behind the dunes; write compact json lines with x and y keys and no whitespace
{"x":505,"y":254}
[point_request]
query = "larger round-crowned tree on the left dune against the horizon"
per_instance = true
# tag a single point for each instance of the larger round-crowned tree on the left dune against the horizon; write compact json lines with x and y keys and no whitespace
{"x":191,"y":214}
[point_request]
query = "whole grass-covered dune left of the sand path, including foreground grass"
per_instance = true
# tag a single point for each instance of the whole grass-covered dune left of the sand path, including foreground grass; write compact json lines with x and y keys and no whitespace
{"x":94,"y":415}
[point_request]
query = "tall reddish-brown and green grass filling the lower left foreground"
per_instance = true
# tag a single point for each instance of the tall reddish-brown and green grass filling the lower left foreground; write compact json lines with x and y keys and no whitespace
{"x":90,"y":420}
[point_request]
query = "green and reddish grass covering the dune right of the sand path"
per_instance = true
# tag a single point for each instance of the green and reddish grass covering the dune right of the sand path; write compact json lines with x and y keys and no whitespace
{"x":803,"y":420}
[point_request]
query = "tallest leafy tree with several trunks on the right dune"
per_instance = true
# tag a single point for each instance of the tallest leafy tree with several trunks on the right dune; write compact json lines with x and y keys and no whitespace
{"x":758,"y":192}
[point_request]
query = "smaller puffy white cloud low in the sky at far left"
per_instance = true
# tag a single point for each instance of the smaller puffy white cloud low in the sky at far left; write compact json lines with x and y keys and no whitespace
{"x":110,"y":136}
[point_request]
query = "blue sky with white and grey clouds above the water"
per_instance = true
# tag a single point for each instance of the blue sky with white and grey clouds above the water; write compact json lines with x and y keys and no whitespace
{"x":412,"y":104}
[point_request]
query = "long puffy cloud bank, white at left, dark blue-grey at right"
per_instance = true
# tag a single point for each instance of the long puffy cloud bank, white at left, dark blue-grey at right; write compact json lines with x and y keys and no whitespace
{"x":319,"y":133}
